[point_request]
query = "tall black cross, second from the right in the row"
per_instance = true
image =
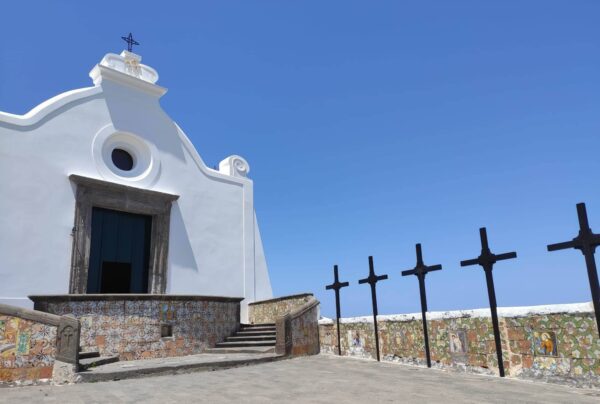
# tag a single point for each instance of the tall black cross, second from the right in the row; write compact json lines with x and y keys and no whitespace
{"x":487,"y":260}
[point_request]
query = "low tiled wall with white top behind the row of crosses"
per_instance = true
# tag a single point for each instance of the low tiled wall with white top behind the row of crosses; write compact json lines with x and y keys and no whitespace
{"x":557,"y":343}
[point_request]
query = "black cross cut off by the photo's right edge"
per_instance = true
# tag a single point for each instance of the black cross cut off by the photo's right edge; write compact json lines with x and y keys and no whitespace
{"x":586,"y":242}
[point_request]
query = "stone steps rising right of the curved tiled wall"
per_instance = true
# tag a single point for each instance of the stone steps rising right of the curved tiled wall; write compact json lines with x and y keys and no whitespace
{"x":251,"y":338}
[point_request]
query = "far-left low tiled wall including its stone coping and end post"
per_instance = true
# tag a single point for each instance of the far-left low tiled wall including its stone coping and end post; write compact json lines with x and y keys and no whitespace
{"x":30,"y":345}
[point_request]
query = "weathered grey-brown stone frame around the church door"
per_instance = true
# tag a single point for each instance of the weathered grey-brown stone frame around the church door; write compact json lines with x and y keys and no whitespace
{"x":92,"y":193}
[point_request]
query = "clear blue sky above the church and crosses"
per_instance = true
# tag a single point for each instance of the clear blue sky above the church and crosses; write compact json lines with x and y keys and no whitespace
{"x":369,"y":127}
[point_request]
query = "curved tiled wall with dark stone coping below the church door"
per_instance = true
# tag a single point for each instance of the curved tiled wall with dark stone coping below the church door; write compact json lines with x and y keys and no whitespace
{"x":132,"y":326}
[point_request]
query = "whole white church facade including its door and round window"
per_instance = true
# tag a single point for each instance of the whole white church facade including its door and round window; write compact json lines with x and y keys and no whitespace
{"x":101,"y":192}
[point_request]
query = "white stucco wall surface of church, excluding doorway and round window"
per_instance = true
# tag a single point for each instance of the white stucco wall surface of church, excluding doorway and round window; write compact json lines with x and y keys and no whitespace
{"x":215,"y":246}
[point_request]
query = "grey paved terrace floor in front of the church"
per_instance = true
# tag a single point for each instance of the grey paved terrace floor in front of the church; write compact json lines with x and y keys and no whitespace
{"x":317,"y":379}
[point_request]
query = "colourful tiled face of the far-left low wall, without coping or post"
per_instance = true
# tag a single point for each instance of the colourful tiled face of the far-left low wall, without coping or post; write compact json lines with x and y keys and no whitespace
{"x":27,"y":349}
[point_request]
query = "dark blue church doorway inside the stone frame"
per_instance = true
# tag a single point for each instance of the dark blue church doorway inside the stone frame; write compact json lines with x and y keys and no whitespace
{"x":119,"y":252}
